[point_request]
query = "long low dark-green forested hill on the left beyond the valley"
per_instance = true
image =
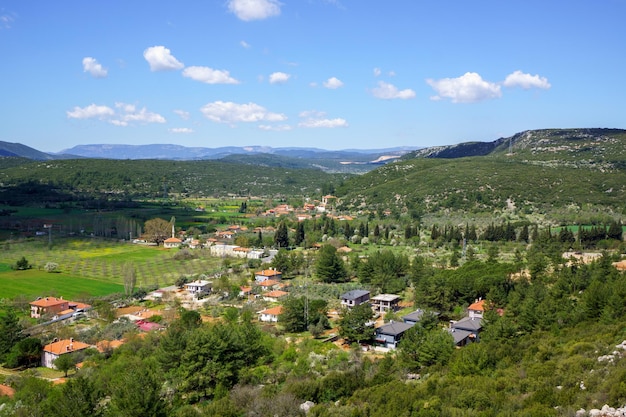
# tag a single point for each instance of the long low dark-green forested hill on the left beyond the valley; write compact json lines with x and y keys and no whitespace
{"x":66,"y":179}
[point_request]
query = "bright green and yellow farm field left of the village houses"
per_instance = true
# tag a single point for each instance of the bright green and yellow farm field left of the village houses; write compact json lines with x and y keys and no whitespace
{"x":93,"y":267}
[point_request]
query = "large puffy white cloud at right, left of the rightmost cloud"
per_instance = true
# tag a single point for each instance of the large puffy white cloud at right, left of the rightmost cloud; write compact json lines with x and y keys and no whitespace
{"x":468,"y":88}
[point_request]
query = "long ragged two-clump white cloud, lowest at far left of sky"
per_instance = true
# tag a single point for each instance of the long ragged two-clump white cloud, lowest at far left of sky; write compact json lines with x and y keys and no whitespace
{"x":122,"y":115}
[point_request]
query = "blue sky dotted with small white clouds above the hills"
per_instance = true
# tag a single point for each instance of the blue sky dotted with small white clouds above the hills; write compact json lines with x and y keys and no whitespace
{"x":333,"y":74}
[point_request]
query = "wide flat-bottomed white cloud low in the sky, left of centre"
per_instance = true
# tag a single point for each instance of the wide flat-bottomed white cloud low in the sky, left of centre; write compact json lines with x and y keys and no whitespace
{"x":229,"y":112}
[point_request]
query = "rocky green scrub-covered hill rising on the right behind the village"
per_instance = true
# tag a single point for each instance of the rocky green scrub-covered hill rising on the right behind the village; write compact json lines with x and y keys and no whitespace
{"x":532,"y":171}
